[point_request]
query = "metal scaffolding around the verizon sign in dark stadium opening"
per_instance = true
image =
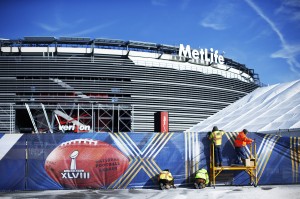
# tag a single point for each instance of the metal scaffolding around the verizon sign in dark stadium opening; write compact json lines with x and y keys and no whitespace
{"x":80,"y":118}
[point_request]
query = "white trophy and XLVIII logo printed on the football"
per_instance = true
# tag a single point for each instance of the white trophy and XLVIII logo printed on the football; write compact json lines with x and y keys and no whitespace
{"x":74,"y":173}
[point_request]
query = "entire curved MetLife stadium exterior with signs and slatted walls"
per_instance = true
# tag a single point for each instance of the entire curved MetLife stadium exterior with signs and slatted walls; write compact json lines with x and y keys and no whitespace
{"x":65,"y":84}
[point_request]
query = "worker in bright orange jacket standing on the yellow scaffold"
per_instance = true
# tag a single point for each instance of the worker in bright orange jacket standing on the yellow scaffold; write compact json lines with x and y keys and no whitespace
{"x":240,"y":142}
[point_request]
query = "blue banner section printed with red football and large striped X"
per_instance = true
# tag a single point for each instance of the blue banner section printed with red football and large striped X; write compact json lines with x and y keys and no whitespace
{"x":102,"y":160}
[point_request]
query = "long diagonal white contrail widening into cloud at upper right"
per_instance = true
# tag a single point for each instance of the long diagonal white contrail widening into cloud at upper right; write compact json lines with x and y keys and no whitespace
{"x":288,"y":52}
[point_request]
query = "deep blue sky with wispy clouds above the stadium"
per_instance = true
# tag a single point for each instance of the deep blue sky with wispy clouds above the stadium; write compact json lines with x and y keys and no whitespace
{"x":263,"y":35}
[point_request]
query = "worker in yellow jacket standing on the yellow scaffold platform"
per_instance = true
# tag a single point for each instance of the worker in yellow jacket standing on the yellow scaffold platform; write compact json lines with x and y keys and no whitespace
{"x":216,"y":138}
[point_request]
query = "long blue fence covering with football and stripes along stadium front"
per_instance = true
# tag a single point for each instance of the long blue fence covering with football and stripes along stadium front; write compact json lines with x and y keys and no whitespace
{"x":133,"y":160}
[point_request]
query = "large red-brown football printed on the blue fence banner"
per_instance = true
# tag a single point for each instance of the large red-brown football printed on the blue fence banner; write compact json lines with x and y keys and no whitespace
{"x":85,"y":163}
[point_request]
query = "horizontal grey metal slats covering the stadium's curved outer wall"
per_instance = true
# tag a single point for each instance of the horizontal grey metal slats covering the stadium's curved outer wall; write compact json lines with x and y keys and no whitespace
{"x":188,"y":96}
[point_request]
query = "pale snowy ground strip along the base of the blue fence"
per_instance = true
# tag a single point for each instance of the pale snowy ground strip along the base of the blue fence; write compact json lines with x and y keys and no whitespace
{"x":224,"y":192}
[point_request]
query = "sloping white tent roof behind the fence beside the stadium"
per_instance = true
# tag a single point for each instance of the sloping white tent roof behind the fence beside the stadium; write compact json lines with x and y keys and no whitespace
{"x":265,"y":109}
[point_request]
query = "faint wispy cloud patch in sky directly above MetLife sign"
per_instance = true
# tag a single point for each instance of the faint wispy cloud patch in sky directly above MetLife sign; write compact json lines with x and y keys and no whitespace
{"x":217,"y":19}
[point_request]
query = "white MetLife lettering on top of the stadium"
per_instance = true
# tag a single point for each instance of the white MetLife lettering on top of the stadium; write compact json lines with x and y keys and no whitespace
{"x":204,"y":55}
